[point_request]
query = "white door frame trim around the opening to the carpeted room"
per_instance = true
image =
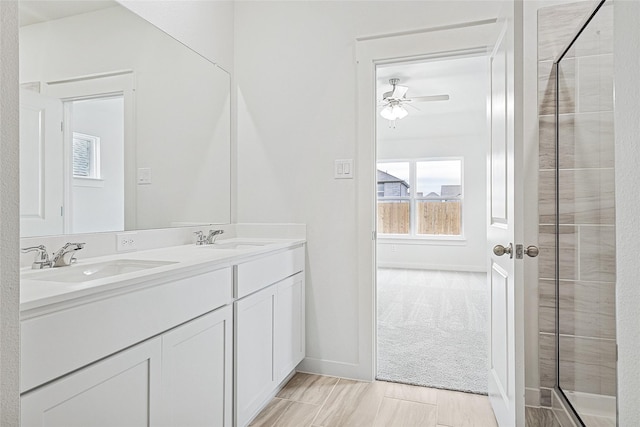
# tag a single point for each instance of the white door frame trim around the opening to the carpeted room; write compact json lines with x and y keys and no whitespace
{"x":472,"y":37}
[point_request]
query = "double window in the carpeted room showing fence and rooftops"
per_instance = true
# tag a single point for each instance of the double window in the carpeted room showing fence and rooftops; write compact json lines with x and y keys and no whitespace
{"x":418,"y":198}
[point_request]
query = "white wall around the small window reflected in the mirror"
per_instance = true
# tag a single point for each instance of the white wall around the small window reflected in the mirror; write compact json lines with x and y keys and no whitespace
{"x":98,"y":205}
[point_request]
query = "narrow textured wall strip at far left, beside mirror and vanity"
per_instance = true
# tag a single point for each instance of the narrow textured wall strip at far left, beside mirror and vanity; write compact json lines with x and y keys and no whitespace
{"x":9,"y":220}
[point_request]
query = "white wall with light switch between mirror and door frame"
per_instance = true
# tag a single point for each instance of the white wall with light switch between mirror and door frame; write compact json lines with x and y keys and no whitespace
{"x":294,"y":57}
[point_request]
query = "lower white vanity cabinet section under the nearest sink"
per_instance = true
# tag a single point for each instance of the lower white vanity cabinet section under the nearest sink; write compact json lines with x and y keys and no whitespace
{"x":179,"y":373}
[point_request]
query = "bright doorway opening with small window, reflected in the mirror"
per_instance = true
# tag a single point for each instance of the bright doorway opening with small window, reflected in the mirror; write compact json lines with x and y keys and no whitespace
{"x":94,"y":140}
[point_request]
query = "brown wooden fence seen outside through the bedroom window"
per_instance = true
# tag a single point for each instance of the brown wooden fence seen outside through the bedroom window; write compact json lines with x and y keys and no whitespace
{"x":435,"y":218}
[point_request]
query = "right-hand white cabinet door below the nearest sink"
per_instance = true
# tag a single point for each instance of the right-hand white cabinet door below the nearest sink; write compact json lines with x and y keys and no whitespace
{"x":197,"y":371}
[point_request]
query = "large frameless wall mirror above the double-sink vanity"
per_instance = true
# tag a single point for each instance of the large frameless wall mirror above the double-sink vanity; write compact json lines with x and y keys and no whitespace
{"x":121,"y":126}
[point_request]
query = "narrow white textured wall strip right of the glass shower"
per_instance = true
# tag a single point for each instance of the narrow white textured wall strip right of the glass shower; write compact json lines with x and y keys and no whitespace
{"x":627,"y":154}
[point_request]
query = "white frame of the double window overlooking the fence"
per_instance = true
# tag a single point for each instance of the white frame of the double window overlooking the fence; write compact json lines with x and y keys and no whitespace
{"x":412,"y":236}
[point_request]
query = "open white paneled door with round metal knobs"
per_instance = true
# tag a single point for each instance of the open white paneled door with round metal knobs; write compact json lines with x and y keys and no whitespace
{"x":505,"y":277}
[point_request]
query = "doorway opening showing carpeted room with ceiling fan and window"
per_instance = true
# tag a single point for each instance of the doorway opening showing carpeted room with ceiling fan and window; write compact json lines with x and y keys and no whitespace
{"x":432,"y":295}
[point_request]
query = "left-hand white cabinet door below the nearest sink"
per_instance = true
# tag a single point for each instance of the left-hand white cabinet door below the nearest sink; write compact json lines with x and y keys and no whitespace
{"x":121,"y":390}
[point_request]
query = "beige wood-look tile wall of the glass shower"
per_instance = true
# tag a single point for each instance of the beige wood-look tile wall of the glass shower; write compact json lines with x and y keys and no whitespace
{"x":586,"y":232}
